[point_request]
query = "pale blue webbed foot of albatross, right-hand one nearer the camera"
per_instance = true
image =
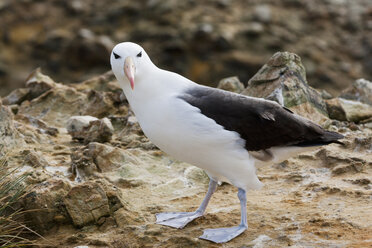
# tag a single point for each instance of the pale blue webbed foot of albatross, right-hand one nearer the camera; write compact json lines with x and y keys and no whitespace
{"x":222,"y":235}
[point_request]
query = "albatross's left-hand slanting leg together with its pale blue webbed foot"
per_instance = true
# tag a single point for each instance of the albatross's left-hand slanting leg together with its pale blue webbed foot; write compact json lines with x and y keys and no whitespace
{"x":181,"y":219}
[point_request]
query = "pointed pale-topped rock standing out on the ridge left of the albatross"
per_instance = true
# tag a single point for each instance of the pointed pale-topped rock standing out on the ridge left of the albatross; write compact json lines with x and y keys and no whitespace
{"x":38,"y":83}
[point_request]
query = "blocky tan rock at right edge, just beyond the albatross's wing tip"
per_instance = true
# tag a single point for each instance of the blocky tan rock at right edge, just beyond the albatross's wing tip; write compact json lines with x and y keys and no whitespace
{"x":348,"y":110}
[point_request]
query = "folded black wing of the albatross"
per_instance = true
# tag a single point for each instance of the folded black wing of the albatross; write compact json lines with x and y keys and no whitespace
{"x":262,"y":124}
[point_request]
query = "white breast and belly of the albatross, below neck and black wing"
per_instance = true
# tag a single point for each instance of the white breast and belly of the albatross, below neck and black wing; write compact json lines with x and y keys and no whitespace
{"x":181,"y":131}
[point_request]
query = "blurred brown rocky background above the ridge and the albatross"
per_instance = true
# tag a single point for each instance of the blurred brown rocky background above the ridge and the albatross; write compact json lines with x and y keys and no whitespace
{"x":204,"y":40}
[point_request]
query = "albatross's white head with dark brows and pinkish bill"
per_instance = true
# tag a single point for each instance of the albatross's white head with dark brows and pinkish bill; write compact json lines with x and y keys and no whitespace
{"x":128,"y":60}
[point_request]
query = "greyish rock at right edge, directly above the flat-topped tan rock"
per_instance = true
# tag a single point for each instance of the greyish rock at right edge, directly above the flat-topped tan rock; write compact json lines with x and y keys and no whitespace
{"x":360,"y":90}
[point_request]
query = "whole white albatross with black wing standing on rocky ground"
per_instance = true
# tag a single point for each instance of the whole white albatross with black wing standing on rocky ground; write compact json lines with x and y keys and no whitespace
{"x":224,"y":133}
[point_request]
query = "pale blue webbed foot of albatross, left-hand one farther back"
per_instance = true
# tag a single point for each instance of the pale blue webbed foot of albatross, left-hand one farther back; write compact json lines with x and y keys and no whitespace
{"x":177,"y":220}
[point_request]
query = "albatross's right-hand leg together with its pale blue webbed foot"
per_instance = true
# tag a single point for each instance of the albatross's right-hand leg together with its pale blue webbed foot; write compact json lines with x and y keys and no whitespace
{"x":222,"y":235}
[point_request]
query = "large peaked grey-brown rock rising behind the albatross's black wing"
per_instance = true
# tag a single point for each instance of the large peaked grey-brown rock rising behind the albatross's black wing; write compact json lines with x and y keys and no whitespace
{"x":282,"y":79}
